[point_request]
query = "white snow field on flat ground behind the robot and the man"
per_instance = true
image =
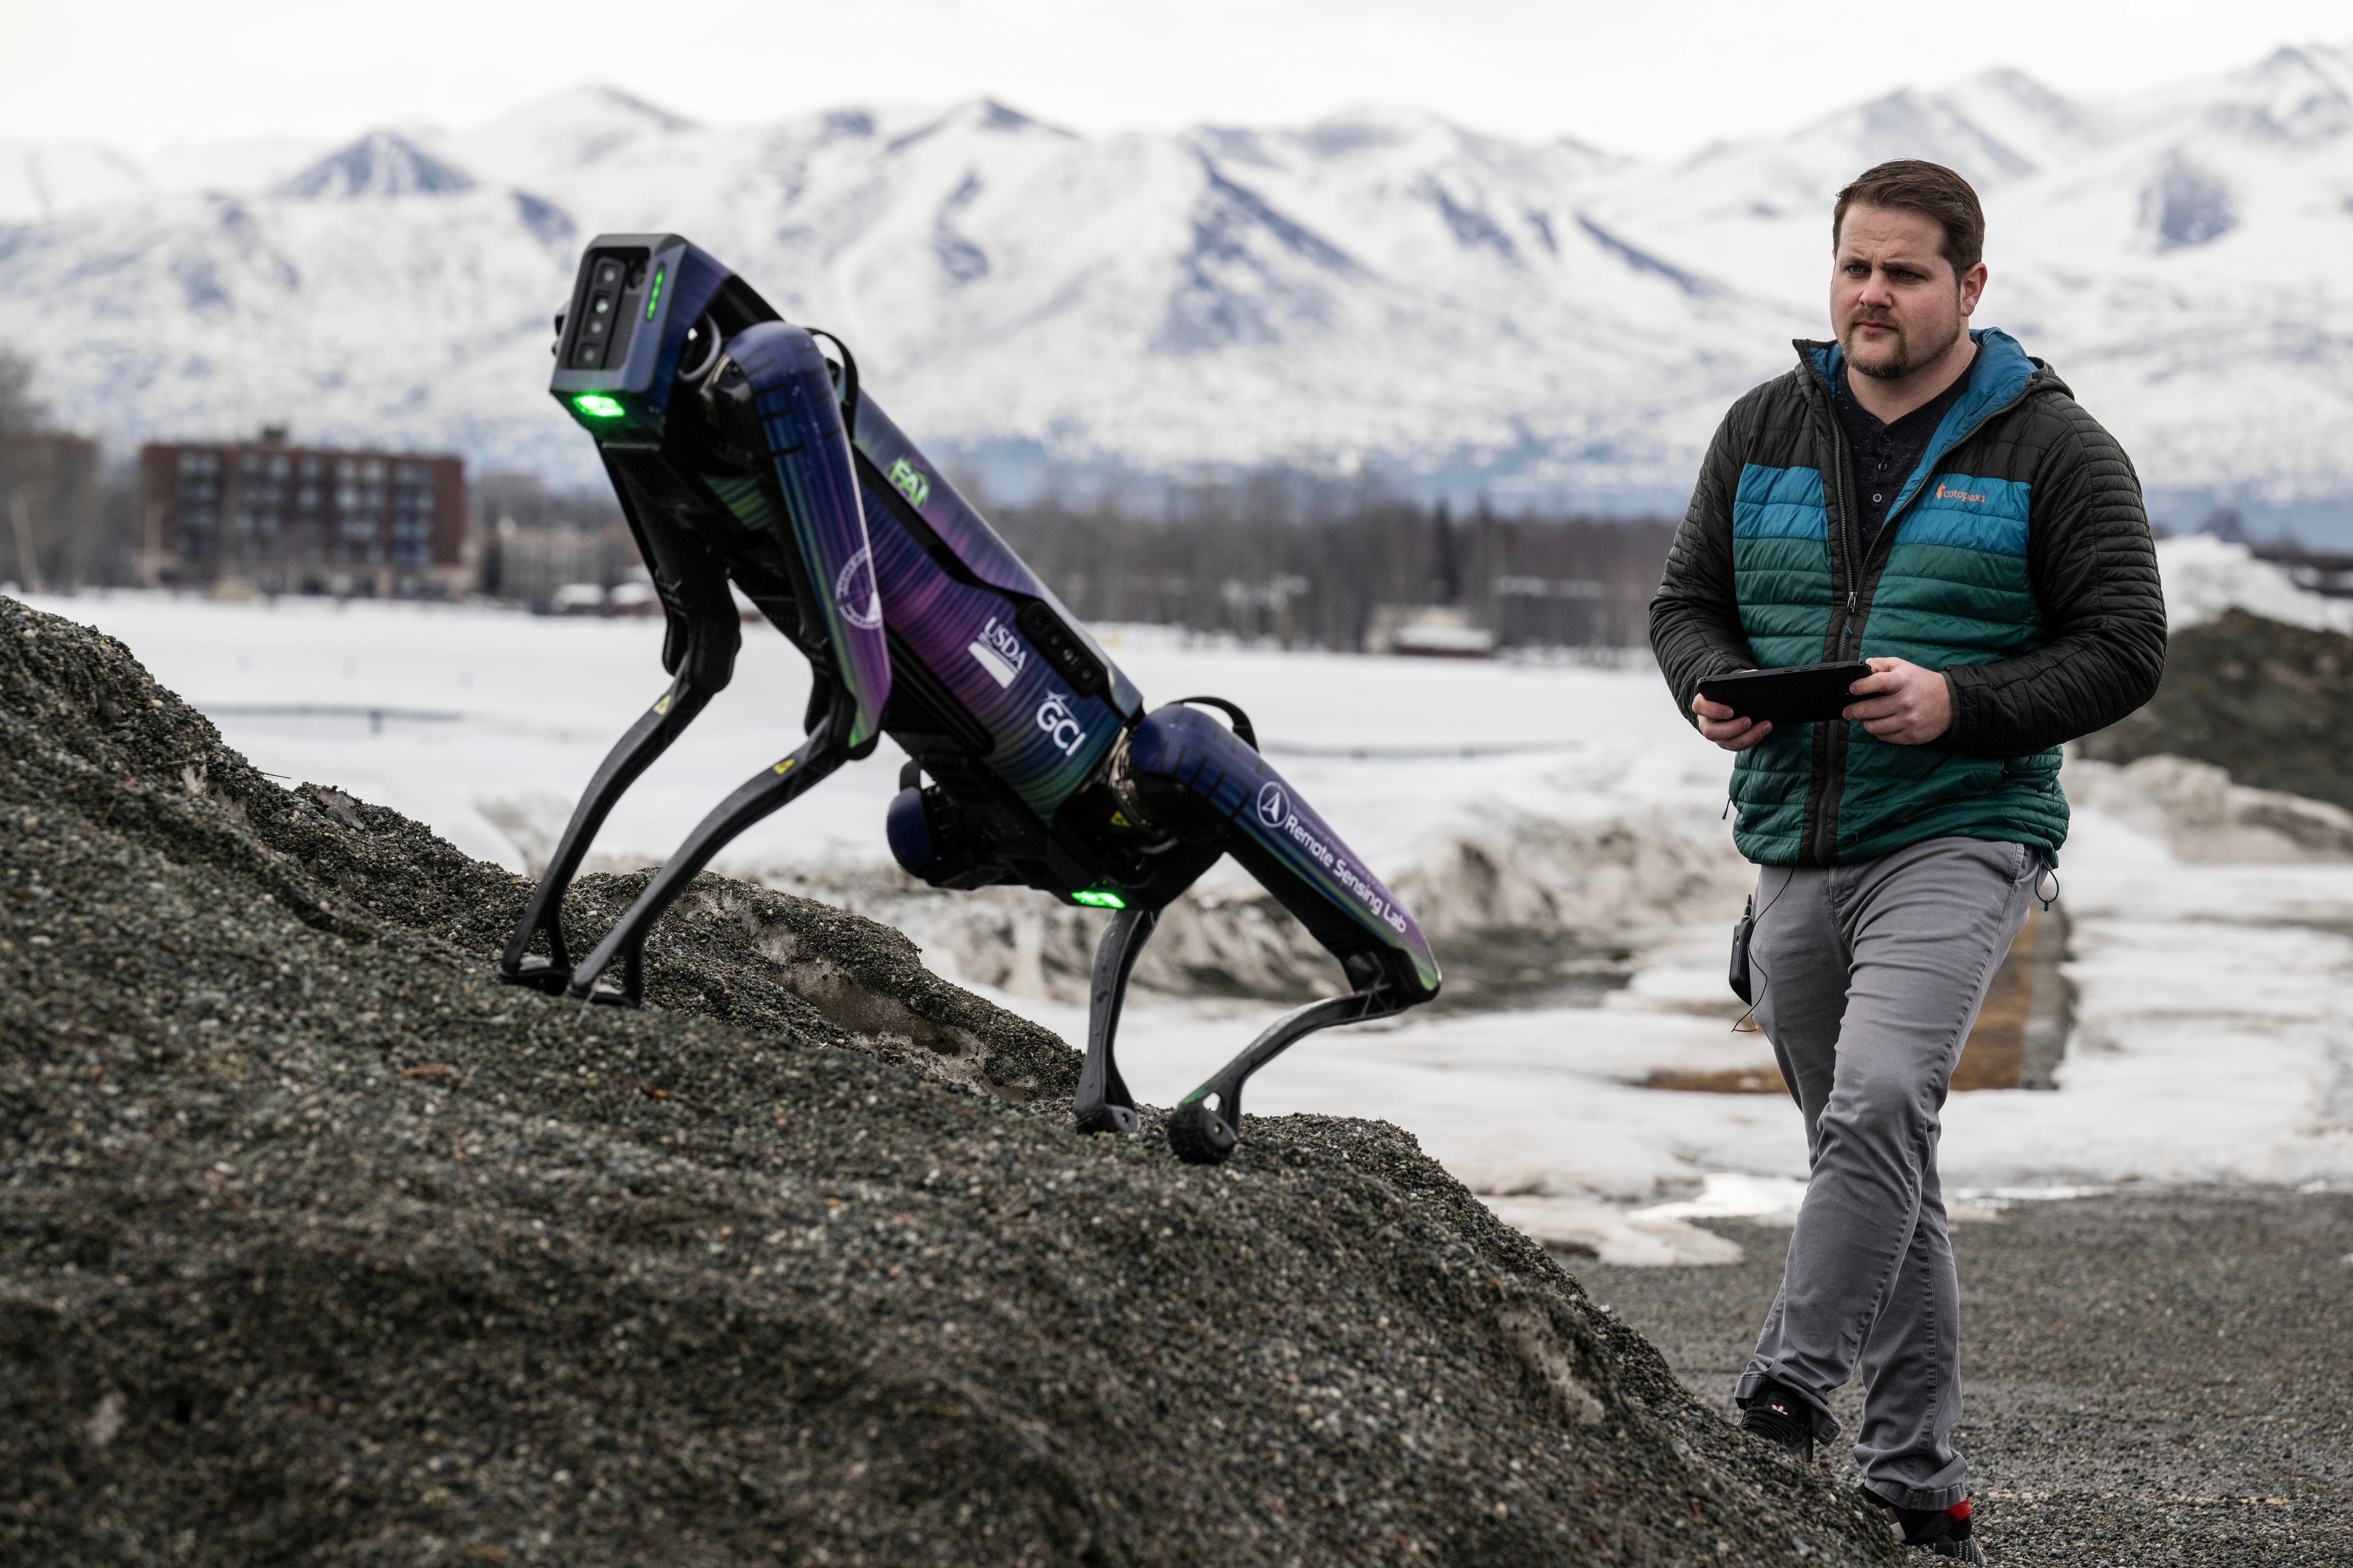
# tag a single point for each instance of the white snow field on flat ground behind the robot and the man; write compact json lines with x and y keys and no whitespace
{"x":2211,"y":1032}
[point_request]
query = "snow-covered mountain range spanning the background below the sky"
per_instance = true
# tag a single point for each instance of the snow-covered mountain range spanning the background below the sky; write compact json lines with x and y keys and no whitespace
{"x":1389,"y":288}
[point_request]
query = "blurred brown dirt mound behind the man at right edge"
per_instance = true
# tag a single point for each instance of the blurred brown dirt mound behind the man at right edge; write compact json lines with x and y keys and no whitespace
{"x":2267,"y":703}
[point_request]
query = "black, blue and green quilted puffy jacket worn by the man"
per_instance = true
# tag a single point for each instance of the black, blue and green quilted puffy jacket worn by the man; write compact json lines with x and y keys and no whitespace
{"x":2015,"y":559}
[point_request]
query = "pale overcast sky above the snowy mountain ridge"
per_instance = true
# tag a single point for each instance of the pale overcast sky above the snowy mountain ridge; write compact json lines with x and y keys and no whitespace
{"x":1651,"y":79}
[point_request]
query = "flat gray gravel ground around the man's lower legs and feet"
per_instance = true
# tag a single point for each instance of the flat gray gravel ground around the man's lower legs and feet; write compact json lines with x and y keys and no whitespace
{"x":2152,"y":1378}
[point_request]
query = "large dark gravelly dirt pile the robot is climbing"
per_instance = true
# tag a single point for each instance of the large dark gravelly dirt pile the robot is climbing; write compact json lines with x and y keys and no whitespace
{"x":319,"y":1247}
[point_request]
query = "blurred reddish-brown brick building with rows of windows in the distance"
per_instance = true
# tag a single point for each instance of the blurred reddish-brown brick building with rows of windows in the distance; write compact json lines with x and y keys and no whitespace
{"x":286,"y":519}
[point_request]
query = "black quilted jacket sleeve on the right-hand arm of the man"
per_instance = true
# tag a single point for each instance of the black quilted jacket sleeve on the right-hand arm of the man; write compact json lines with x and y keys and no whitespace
{"x":2095,"y":576}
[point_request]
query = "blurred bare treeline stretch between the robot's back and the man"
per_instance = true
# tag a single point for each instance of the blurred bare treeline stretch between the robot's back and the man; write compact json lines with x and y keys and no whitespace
{"x":1317,"y":564}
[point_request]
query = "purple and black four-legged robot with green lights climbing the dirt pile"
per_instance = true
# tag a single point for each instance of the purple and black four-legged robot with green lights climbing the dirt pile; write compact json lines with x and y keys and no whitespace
{"x":742,"y":456}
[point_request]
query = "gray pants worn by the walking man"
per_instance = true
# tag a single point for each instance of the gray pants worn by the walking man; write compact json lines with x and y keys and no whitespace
{"x":1872,"y":978}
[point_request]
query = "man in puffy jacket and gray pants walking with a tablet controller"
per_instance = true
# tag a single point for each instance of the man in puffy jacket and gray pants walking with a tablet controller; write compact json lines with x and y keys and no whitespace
{"x":1935,"y":503}
